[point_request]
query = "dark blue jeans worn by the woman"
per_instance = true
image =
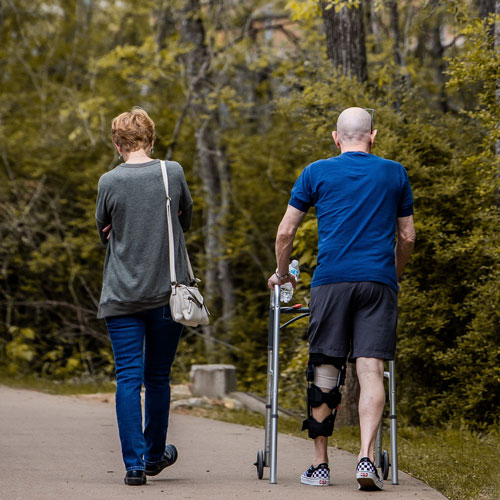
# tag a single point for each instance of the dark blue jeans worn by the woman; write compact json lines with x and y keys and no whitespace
{"x":144,"y":346}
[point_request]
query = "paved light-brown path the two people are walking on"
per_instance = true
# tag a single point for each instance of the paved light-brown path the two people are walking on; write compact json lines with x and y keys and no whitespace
{"x":67,"y":448}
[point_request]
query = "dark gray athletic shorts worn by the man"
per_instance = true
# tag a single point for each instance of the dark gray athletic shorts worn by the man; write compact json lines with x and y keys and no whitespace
{"x":353,"y":319}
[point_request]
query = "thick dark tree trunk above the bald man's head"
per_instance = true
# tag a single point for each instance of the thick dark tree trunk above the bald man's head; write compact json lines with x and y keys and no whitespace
{"x":345,"y":39}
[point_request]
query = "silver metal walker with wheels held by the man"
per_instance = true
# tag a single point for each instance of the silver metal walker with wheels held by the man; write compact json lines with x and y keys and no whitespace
{"x":269,"y":456}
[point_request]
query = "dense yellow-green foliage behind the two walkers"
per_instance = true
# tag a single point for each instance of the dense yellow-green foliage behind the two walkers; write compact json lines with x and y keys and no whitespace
{"x":70,"y":66}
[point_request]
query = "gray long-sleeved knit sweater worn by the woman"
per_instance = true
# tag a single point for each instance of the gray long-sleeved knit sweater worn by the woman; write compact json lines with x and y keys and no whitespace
{"x":136,"y":270}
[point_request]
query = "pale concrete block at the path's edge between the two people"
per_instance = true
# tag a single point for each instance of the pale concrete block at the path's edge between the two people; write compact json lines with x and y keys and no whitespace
{"x":213,"y":381}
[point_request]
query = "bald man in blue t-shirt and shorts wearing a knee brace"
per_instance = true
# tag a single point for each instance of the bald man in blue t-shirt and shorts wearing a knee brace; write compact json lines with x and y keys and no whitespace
{"x":362,"y":202}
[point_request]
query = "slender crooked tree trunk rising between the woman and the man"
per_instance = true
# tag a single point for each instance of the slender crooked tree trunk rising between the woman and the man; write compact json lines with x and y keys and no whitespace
{"x":213,"y":171}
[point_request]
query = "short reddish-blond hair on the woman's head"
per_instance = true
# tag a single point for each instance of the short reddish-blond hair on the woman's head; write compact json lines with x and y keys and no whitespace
{"x":133,"y":130}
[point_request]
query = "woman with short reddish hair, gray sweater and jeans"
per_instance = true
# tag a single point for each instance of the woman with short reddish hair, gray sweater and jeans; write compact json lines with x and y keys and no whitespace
{"x":131,"y":220}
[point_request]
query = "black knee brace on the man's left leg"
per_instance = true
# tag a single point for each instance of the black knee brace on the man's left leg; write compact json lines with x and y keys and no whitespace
{"x":316,"y":397}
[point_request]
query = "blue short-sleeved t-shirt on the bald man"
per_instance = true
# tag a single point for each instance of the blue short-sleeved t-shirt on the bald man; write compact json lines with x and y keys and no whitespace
{"x":358,"y":197}
